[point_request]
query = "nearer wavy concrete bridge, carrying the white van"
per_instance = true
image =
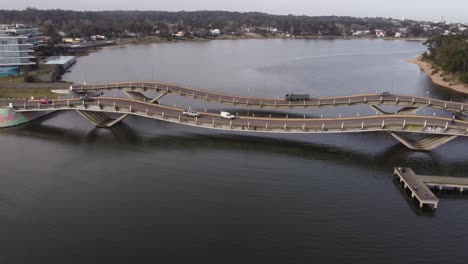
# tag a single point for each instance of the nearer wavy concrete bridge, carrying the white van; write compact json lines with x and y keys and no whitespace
{"x":437,"y":130}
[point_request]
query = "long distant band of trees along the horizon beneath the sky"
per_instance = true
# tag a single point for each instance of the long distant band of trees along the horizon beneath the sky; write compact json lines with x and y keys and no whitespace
{"x":111,"y":23}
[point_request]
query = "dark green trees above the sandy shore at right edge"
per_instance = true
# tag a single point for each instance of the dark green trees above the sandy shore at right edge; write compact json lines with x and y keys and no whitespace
{"x":450,"y":53}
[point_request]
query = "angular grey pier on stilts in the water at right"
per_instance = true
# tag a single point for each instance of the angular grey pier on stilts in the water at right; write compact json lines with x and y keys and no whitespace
{"x":419,"y":185}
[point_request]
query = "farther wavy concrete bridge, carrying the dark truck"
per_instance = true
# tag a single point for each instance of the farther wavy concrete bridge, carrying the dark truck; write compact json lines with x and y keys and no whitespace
{"x":408,"y":103}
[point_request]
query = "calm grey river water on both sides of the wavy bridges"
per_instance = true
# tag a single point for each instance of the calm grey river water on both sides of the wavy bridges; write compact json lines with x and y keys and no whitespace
{"x":150,"y":192}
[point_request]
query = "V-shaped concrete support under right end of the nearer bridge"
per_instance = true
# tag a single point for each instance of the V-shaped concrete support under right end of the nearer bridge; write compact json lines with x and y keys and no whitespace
{"x":425,"y":144}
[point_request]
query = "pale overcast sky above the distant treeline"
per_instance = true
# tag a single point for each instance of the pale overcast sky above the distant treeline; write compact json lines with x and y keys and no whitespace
{"x":433,"y":10}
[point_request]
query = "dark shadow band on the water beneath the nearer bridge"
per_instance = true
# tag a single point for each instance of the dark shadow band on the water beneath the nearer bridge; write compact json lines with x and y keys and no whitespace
{"x":123,"y":135}
